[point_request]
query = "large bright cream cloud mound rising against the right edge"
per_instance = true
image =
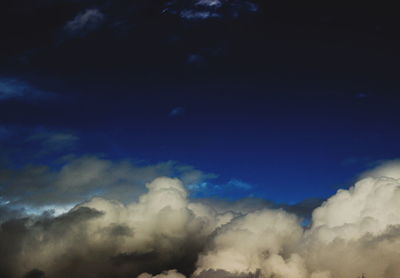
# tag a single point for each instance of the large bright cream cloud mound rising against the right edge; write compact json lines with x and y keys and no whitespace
{"x":358,"y":230}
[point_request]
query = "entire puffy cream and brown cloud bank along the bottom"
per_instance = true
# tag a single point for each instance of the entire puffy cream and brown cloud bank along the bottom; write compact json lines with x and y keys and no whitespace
{"x":165,"y":234}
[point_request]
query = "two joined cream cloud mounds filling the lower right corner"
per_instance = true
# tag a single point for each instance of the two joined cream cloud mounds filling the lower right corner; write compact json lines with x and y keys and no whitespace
{"x":355,"y":231}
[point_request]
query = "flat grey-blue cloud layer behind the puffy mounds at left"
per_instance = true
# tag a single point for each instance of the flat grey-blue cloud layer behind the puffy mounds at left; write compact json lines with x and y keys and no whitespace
{"x":80,"y":178}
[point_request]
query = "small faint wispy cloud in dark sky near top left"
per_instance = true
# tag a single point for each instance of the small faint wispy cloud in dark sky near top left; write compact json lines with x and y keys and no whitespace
{"x":85,"y":22}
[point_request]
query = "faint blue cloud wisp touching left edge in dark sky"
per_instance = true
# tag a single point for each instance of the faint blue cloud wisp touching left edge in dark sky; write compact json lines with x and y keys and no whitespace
{"x":13,"y":88}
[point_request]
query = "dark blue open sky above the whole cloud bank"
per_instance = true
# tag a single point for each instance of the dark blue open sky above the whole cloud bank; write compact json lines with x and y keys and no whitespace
{"x":292,"y":101}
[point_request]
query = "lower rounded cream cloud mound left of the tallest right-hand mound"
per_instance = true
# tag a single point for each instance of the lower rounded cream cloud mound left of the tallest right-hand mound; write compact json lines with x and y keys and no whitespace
{"x":253,"y":242}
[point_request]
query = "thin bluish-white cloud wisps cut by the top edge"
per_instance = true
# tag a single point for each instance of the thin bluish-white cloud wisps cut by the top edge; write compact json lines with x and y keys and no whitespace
{"x":209,"y":9}
